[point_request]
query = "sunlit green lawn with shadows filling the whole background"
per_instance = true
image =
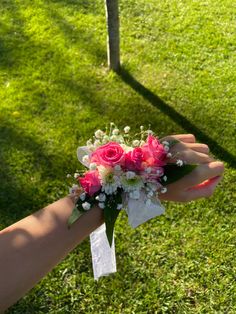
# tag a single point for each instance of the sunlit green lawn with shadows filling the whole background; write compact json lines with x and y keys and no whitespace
{"x":179,"y":75}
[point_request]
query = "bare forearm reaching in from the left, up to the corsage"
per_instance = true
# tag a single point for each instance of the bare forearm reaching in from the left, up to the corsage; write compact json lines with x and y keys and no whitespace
{"x":30,"y":248}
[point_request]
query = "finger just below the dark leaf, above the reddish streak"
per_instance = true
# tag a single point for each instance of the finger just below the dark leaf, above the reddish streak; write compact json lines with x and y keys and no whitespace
{"x":200,"y":174}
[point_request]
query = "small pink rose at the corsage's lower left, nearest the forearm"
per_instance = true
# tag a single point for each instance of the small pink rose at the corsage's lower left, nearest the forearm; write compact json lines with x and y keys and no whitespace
{"x":90,"y":182}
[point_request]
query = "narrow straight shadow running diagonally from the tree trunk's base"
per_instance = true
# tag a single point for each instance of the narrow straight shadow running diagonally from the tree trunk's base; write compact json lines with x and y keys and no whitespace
{"x":188,"y":126}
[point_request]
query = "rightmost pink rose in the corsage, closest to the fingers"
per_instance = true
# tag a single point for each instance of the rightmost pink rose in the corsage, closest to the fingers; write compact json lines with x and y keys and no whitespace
{"x":154,"y":152}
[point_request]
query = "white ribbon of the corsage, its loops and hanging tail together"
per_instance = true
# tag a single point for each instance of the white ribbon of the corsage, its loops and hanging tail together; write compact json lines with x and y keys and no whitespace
{"x":138,"y":211}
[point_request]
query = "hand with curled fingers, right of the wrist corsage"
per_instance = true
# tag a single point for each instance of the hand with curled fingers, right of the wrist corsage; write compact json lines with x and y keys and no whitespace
{"x":202,"y":181}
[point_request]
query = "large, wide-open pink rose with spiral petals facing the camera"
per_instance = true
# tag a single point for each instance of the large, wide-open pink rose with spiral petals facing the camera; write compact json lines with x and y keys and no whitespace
{"x":109,"y":154}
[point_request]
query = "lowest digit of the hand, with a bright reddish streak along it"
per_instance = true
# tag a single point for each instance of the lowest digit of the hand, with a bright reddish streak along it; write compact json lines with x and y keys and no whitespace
{"x":206,"y":189}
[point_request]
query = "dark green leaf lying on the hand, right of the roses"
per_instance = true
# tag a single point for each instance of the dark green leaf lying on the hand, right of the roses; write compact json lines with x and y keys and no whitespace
{"x":174,"y":172}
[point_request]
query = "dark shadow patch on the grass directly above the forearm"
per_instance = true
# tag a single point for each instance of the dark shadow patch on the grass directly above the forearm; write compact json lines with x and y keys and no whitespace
{"x":19,"y":198}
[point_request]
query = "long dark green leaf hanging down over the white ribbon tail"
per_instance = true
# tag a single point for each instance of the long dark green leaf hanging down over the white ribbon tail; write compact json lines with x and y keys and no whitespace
{"x":111,"y":213}
